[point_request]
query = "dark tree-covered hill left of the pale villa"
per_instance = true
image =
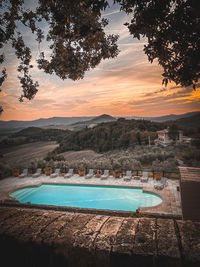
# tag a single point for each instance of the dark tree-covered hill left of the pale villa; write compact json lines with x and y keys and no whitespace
{"x":111,"y":135}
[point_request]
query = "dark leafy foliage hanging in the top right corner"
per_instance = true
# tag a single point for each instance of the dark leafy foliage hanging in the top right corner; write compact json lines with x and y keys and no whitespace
{"x":172,"y":28}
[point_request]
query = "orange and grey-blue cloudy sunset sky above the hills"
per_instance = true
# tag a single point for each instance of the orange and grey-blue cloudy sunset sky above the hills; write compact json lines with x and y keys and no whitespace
{"x":125,"y":86}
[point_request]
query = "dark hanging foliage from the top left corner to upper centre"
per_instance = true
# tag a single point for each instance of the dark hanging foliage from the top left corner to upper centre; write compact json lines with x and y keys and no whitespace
{"x":76,"y":38}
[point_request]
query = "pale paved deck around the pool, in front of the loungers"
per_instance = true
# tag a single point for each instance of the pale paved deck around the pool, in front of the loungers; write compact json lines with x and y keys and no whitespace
{"x":171,"y":205}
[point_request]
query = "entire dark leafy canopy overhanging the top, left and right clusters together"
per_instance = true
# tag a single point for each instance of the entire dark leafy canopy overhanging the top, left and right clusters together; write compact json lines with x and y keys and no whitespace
{"x":77,"y":40}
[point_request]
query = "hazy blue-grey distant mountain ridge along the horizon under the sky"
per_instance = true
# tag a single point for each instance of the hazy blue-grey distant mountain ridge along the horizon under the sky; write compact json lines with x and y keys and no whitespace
{"x":77,"y":123}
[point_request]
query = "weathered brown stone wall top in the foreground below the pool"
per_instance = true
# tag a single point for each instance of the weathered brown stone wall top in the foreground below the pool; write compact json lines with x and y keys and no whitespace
{"x":34,"y":238}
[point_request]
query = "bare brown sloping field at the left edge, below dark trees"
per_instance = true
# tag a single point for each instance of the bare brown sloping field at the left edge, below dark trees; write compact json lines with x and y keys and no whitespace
{"x":23,"y":154}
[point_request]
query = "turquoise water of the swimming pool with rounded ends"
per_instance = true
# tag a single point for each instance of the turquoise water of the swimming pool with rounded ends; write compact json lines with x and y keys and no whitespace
{"x":85,"y":196}
